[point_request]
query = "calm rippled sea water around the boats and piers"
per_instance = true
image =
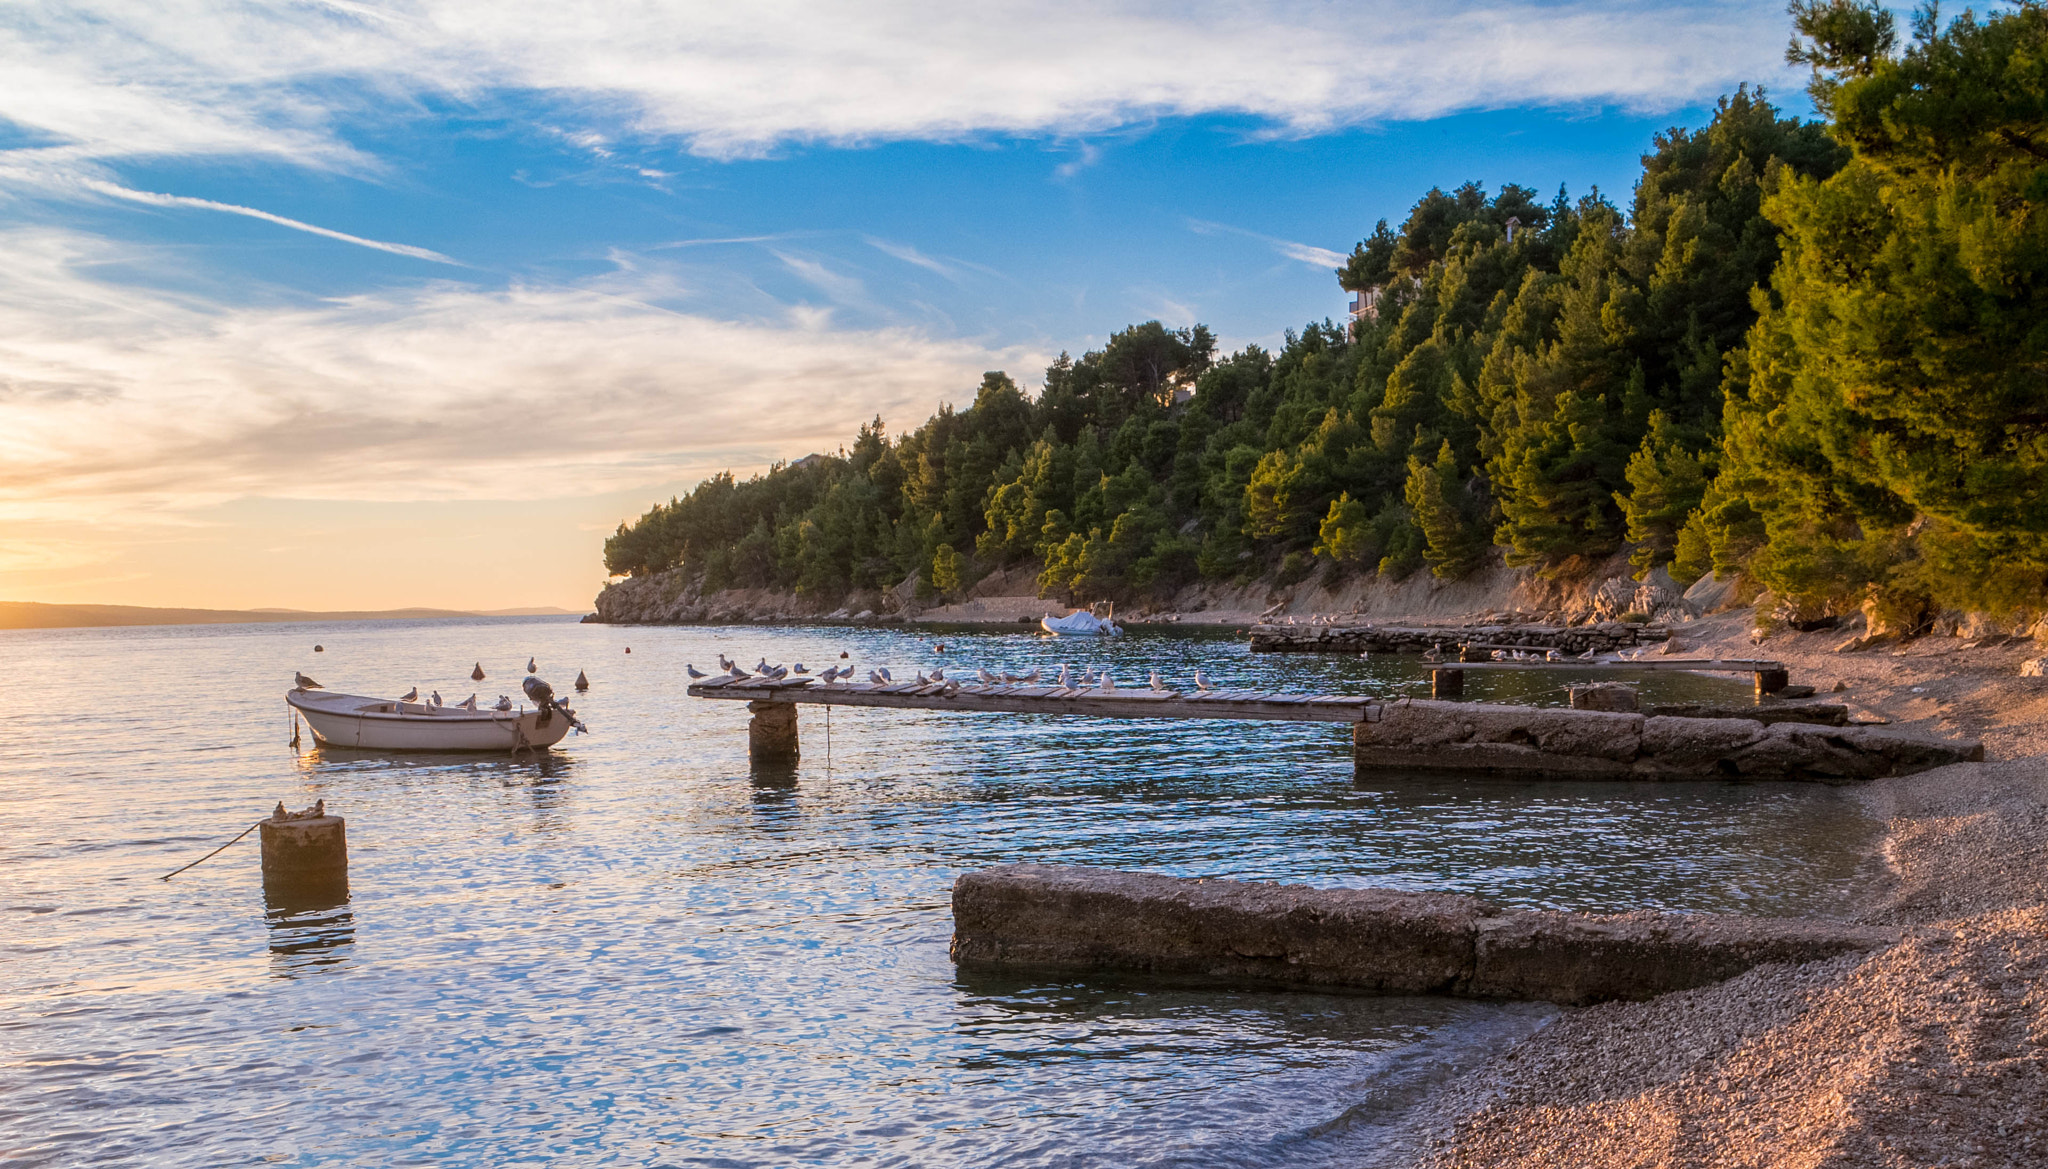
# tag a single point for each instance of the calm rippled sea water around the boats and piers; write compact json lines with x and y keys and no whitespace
{"x":642,"y":953}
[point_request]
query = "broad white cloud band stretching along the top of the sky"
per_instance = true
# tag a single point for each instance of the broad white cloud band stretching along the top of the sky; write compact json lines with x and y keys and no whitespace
{"x":146,"y":79}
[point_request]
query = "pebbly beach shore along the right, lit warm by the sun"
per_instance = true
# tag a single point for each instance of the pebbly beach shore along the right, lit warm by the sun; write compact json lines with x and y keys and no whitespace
{"x":1930,"y":1053}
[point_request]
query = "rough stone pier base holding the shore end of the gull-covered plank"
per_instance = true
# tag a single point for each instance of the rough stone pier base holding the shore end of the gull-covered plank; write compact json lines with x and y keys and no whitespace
{"x":1428,"y":736}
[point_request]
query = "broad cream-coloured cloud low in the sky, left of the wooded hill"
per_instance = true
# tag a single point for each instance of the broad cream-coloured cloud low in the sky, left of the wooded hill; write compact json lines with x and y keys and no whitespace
{"x":116,"y":394}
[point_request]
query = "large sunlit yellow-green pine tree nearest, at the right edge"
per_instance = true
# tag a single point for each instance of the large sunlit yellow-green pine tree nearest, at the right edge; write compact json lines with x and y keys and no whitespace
{"x":1887,"y":421}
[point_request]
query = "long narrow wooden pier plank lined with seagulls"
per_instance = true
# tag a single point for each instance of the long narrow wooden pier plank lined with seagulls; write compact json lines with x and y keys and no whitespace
{"x":1244,"y":705}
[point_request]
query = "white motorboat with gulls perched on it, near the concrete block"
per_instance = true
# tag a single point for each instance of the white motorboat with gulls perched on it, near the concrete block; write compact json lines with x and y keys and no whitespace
{"x":392,"y":726}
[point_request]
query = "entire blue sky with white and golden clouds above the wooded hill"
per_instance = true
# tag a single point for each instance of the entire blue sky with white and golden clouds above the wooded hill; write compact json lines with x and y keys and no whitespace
{"x":353,"y":304}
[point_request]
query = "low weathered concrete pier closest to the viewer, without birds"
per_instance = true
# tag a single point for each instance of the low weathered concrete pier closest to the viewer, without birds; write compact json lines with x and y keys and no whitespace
{"x":1068,"y":920}
